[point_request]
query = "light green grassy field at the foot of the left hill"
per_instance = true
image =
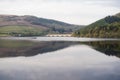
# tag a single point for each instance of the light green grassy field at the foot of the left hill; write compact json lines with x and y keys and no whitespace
{"x":21,"y":31}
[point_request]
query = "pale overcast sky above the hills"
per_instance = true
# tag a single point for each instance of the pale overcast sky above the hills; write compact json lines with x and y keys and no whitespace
{"x":81,"y":12}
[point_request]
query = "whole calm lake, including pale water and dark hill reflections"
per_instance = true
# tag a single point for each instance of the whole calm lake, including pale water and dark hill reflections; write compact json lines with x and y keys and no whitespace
{"x":59,"y":58}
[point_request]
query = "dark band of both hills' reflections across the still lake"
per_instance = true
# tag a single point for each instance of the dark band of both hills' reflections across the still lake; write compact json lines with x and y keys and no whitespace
{"x":13,"y":48}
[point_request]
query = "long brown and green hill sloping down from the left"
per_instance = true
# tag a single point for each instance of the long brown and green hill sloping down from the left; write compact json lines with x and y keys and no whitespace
{"x":12,"y":25}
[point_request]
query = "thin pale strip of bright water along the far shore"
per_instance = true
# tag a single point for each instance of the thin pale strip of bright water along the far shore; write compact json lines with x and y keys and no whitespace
{"x":44,"y":38}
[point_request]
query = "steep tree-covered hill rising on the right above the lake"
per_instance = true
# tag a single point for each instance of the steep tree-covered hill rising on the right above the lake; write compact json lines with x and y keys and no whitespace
{"x":108,"y":27}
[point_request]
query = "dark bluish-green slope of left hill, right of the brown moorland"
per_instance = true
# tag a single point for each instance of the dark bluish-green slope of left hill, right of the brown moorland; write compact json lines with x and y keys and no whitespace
{"x":53,"y":25}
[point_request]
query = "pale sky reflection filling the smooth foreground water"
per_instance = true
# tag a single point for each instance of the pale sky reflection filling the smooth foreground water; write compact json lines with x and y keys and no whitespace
{"x":78,"y":62}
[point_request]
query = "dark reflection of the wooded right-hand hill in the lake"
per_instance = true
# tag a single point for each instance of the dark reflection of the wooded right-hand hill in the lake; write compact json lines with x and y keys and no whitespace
{"x":111,"y":48}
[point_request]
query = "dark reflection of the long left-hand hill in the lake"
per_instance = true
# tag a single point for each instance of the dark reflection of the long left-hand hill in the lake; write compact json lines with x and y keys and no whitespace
{"x":28,"y":48}
